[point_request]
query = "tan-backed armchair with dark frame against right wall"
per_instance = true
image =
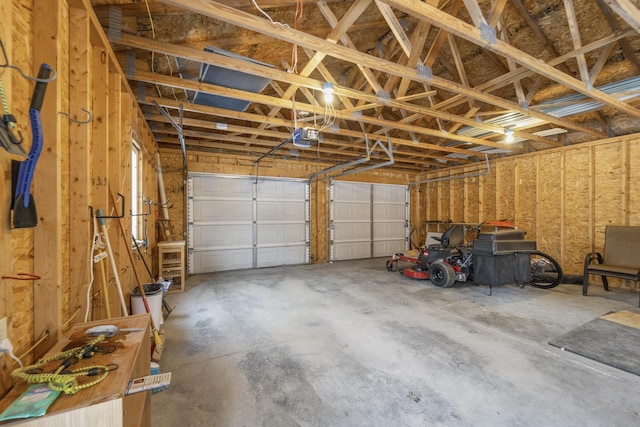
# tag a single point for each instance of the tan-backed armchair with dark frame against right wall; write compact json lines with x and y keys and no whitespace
{"x":621,"y":258}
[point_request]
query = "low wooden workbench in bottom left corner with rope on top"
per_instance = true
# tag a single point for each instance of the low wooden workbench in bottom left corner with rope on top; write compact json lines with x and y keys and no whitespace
{"x":104,"y":403}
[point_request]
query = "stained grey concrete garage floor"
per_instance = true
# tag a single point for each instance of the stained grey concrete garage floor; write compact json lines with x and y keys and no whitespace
{"x":350,"y":344}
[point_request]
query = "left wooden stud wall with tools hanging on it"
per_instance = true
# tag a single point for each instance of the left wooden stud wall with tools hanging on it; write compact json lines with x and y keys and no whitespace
{"x":79,"y":166}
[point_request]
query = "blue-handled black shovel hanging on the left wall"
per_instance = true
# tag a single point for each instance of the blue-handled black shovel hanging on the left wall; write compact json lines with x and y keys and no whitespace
{"x":24,"y":207}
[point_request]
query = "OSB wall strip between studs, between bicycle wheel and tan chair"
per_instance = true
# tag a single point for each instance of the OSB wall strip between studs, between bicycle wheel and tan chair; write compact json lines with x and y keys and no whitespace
{"x":577,"y":207}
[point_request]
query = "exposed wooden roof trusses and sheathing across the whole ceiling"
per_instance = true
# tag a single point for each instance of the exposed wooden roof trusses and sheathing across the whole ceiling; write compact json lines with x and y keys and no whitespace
{"x":443,"y":81}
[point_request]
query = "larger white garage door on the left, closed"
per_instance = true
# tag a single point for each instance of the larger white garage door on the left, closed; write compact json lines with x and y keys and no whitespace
{"x":236,"y":222}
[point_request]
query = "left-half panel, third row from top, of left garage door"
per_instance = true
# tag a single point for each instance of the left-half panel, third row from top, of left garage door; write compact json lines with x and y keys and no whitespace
{"x":222,"y":236}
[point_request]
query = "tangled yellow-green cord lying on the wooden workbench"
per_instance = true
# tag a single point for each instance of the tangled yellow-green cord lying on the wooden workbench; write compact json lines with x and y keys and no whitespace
{"x":61,"y":380}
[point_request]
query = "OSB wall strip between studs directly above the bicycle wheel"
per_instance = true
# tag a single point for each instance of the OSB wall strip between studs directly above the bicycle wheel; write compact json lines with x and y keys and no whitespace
{"x":549,"y":205}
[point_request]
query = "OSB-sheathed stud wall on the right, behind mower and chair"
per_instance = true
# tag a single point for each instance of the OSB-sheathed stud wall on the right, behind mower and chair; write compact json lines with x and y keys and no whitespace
{"x":563,"y":198}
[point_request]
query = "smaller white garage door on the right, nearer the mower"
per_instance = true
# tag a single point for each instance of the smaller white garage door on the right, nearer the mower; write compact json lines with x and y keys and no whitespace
{"x":367,"y":220}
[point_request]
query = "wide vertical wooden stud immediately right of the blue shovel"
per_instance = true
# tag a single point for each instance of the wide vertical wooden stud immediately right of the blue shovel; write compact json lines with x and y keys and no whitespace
{"x":49,"y":25}
